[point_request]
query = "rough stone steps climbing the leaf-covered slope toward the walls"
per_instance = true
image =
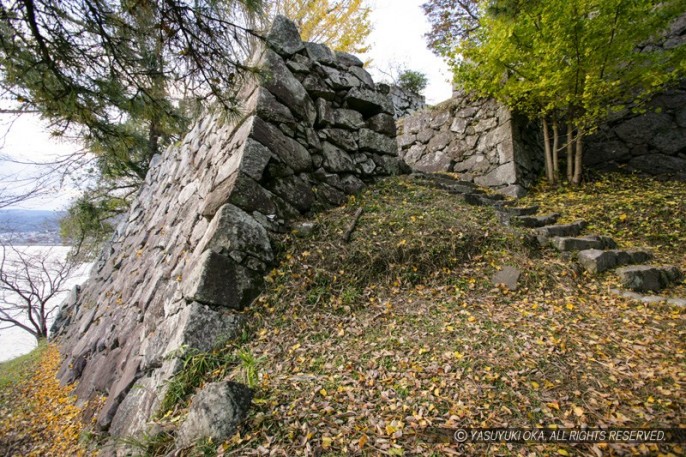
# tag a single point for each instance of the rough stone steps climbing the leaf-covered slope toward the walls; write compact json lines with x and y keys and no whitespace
{"x":595,"y":253}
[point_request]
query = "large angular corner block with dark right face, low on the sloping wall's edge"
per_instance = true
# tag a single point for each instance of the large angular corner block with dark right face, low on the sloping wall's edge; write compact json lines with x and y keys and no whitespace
{"x":219,"y":281}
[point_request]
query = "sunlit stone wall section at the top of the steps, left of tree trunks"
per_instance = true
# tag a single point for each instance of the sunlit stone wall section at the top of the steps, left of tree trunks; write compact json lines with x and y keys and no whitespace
{"x":476,"y":138}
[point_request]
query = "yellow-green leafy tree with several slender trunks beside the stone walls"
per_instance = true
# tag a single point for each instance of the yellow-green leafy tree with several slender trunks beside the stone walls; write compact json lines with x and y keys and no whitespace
{"x":568,"y":61}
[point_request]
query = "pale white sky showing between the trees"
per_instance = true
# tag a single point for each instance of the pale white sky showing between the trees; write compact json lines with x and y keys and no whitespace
{"x":397,"y":41}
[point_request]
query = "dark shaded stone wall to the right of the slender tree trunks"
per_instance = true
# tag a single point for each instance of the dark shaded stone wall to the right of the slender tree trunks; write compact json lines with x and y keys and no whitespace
{"x":652,"y":143}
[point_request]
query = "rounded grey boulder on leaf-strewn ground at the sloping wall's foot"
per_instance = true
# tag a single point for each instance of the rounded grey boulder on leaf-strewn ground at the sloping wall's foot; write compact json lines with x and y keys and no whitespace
{"x":215,"y":413}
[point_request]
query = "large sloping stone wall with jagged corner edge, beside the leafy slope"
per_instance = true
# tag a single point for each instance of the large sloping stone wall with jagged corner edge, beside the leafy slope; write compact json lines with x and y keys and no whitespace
{"x":195,"y":245}
